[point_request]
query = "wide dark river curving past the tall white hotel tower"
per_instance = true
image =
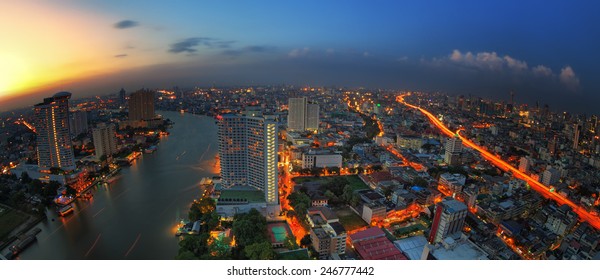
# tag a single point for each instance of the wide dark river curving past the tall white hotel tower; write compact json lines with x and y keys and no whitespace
{"x":134,"y":216}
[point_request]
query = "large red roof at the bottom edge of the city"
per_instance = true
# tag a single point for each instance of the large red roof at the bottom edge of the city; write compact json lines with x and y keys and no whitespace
{"x":379,"y":248}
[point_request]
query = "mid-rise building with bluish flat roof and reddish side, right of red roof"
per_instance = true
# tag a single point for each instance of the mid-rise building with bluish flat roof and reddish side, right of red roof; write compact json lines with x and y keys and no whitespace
{"x":449,"y":217}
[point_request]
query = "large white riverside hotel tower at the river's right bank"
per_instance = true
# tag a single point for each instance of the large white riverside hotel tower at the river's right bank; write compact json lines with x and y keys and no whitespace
{"x":248,"y":153}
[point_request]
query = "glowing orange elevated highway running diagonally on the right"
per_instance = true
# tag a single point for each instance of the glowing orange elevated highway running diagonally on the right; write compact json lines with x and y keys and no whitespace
{"x":592,"y":219}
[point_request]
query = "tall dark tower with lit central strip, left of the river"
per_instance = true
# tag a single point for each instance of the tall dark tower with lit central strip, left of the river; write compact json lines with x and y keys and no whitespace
{"x":53,"y":138}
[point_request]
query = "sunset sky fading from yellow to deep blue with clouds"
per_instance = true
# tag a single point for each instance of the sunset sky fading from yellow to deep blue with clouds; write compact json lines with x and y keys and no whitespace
{"x":544,"y":51}
